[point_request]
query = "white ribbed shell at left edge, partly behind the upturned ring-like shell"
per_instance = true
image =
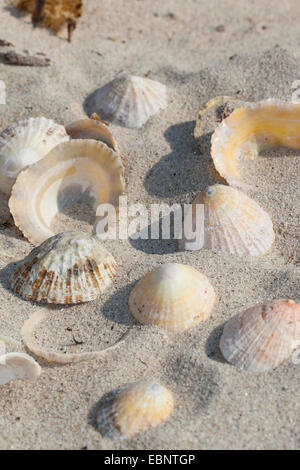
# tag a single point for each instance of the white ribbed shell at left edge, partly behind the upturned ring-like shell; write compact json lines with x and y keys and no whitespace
{"x":24,"y":143}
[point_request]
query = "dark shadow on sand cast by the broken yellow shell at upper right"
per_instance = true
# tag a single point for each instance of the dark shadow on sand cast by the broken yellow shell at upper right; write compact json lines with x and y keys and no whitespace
{"x":184,"y":170}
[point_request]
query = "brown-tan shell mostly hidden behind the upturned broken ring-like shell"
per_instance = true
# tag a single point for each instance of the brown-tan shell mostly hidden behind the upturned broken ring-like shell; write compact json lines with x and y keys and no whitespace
{"x":92,"y":129}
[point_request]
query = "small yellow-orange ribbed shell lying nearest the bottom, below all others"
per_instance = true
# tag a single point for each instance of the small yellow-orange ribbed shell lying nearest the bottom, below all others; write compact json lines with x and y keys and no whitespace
{"x":134,"y":408}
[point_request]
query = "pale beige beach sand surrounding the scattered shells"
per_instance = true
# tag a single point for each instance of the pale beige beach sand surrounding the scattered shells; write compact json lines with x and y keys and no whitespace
{"x":198,"y":49}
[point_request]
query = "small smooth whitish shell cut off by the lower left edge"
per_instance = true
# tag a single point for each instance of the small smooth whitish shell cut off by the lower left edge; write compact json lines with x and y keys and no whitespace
{"x":18,"y":366}
